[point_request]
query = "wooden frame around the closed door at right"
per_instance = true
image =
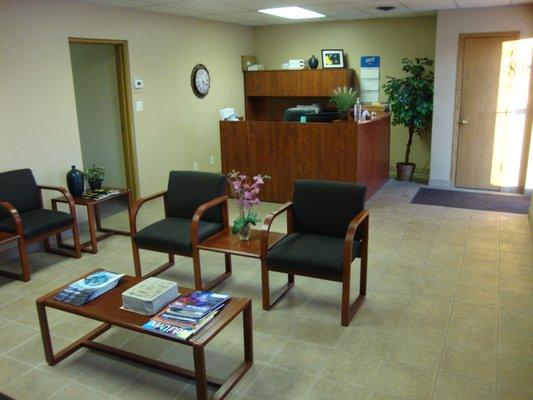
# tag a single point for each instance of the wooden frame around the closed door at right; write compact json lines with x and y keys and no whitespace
{"x":459,"y":86}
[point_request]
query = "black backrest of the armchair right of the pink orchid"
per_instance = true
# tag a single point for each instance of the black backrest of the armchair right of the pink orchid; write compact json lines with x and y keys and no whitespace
{"x":326,"y":207}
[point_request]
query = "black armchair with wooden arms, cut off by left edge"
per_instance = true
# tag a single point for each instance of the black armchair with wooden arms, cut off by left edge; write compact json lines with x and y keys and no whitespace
{"x":23,"y":217}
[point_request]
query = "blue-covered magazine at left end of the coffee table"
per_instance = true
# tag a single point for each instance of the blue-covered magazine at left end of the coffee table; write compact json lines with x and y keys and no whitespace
{"x":89,"y":288}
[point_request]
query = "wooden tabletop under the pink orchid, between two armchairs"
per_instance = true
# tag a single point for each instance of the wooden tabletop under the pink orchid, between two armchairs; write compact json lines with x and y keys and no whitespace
{"x":228,"y":243}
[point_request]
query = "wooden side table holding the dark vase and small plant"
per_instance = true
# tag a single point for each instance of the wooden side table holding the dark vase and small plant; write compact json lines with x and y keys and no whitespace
{"x":94,"y":220}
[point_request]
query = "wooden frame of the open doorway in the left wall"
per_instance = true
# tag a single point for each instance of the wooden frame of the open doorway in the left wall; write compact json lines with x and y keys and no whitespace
{"x":125,"y":103}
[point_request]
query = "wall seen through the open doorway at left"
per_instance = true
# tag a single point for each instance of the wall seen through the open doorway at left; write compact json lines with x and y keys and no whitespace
{"x":94,"y":71}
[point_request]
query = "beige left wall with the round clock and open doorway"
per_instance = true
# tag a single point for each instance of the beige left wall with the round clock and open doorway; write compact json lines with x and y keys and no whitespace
{"x":37,"y":104}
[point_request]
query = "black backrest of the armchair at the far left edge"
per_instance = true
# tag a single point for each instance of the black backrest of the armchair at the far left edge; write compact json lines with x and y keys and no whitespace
{"x":19,"y":189}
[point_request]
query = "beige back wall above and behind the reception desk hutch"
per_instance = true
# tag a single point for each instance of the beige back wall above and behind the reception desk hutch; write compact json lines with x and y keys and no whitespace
{"x":392,"y":39}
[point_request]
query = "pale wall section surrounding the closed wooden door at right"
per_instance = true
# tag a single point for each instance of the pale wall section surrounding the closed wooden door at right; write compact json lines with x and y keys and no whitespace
{"x":449,"y":25}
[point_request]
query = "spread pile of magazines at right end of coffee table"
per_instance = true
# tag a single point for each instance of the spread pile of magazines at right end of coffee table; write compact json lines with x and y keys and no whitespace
{"x":187,"y":315}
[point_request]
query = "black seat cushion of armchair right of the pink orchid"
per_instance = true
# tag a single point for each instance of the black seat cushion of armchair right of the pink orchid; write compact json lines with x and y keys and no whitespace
{"x":317,"y":254}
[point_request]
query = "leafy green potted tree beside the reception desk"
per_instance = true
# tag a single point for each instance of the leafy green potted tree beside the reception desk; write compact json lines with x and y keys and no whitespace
{"x":411,"y":105}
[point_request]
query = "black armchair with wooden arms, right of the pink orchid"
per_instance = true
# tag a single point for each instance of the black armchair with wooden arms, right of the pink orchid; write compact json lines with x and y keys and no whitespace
{"x":327,"y":228}
